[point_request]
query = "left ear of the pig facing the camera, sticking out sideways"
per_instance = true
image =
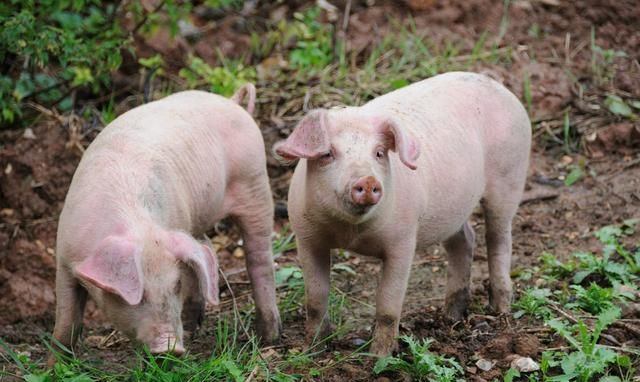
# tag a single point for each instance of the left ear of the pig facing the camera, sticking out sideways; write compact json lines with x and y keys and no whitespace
{"x":309,"y":139}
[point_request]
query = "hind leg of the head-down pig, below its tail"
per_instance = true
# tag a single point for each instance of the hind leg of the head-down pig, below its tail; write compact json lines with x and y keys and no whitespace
{"x":257,"y":227}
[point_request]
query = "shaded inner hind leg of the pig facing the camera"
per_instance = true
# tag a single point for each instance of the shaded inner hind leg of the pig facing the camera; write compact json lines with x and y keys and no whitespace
{"x":459,"y":256}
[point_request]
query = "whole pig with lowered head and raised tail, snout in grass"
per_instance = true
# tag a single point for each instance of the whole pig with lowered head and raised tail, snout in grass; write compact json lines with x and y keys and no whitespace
{"x":154,"y":177}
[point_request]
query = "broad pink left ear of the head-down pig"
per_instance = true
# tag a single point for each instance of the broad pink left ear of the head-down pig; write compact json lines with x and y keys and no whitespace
{"x":115,"y":267}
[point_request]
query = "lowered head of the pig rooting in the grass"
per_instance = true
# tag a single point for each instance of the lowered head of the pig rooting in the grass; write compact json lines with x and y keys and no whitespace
{"x":143,"y":282}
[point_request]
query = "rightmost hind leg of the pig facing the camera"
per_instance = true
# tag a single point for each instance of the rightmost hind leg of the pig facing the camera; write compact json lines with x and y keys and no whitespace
{"x":500,"y":204}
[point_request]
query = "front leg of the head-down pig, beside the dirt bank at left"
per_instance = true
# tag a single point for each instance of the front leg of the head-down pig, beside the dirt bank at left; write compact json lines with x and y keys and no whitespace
{"x":71,"y":299}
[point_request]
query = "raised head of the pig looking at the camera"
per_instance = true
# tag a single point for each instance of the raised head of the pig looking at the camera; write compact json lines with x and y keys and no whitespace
{"x":348,"y":159}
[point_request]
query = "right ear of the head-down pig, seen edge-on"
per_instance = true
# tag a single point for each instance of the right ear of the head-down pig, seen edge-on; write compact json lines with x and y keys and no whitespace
{"x":202,"y":260}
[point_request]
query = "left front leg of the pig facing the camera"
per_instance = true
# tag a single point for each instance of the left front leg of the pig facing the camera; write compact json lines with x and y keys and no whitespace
{"x":316,"y":269}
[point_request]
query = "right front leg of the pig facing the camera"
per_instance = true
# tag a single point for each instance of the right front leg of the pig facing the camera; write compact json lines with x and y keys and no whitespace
{"x":390,"y":297}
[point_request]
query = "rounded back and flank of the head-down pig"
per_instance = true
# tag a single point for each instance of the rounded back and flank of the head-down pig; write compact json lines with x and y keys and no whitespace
{"x":169,"y":162}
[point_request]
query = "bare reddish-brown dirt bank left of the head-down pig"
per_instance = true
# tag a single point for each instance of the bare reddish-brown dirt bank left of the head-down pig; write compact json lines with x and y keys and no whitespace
{"x":36,"y":172}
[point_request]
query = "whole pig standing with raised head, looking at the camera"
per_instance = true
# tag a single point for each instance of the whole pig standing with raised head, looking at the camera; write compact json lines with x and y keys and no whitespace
{"x":403,"y":172}
